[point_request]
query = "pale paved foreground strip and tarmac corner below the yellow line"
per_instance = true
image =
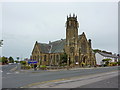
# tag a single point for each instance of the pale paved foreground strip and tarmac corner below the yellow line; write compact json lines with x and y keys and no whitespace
{"x":102,"y":80}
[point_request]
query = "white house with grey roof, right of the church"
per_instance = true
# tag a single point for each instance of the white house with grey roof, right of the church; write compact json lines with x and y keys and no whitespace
{"x":101,"y":55}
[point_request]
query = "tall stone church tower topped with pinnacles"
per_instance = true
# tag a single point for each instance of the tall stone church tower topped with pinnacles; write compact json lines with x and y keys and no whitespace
{"x":71,"y":37}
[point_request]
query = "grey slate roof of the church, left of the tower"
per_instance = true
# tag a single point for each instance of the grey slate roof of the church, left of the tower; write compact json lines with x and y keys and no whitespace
{"x":53,"y":47}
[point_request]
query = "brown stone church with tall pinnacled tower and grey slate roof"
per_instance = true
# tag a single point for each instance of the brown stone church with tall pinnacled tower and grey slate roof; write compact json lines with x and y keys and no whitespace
{"x":77,"y":48}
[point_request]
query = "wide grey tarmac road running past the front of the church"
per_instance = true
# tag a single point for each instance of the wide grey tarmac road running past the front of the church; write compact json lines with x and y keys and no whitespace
{"x":22,"y":79}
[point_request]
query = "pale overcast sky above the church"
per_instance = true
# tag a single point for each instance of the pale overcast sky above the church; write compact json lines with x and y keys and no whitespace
{"x":24,"y":23}
